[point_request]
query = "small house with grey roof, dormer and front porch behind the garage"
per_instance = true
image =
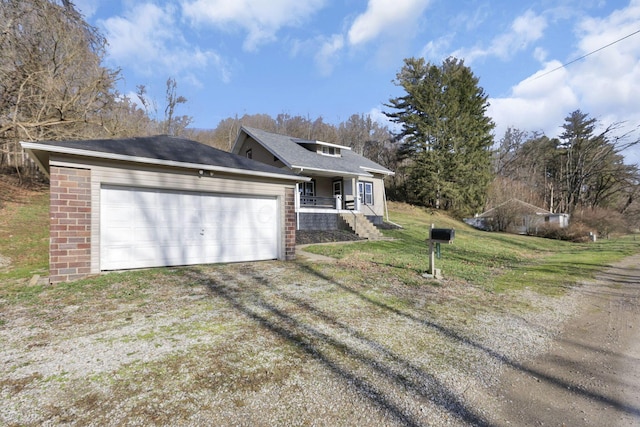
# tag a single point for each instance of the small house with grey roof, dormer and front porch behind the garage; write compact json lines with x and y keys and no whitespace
{"x":344,"y":188}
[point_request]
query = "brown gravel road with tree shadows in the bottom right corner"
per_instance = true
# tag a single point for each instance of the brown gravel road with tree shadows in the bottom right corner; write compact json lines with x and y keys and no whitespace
{"x":590,"y":376}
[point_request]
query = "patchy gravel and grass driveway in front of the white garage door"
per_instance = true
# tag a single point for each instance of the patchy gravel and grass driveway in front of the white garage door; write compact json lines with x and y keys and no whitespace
{"x":271,"y":343}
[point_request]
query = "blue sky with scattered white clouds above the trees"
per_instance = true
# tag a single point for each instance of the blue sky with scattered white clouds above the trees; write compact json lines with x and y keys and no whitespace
{"x":537,"y":61}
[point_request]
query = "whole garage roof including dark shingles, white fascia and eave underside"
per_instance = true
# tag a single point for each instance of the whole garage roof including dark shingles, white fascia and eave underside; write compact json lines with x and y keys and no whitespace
{"x":158,"y":150}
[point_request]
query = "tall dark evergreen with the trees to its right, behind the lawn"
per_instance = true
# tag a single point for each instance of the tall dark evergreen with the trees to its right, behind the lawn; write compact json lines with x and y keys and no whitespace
{"x":448,"y":159}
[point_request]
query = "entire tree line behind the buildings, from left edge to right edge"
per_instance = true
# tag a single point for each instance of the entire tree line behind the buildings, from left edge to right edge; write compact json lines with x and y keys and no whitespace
{"x":54,"y":86}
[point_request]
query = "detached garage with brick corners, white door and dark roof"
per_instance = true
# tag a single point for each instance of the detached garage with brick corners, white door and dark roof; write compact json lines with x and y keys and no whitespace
{"x":161,"y":201}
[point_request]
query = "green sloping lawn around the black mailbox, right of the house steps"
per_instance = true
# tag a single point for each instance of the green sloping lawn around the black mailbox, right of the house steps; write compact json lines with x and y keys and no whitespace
{"x":497,"y":262}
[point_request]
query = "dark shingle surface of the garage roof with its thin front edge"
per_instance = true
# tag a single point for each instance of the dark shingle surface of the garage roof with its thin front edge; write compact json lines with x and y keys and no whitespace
{"x":160,"y":149}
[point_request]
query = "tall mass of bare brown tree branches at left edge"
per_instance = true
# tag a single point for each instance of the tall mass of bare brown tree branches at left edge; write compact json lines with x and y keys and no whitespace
{"x":52,"y":83}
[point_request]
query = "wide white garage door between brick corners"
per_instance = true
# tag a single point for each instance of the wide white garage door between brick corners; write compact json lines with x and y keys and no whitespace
{"x":153,"y":228}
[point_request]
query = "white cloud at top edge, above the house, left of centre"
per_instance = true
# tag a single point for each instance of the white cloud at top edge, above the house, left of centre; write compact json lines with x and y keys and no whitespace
{"x":260,"y":19}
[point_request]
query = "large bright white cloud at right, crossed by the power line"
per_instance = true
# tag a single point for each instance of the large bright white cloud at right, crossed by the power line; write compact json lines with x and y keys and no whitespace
{"x":605,"y":84}
